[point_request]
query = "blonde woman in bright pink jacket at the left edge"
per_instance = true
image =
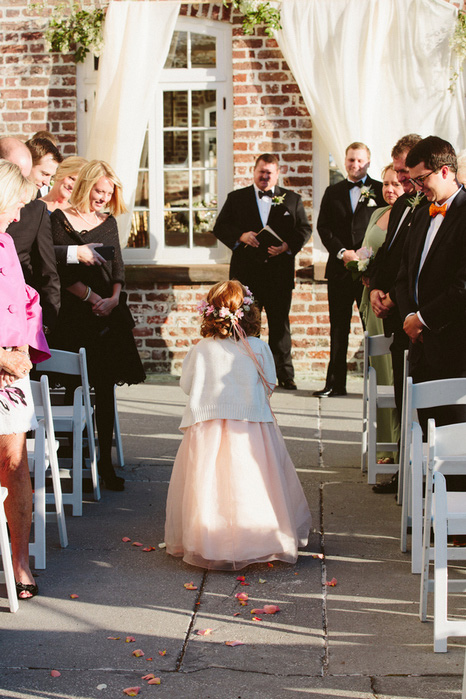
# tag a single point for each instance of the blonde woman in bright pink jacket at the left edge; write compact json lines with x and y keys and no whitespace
{"x":22,"y":343}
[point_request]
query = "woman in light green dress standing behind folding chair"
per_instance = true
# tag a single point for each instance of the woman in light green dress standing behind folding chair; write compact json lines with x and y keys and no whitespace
{"x":388,"y":424}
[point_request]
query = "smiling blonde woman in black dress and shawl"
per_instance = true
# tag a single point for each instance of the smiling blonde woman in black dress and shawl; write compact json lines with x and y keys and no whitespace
{"x":93,"y":310}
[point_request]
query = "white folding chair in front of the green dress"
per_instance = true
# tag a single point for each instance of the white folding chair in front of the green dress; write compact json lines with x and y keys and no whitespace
{"x":374,"y":398}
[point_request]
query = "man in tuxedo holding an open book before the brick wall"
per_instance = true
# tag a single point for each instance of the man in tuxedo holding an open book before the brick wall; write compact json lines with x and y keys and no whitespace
{"x":271,"y":280}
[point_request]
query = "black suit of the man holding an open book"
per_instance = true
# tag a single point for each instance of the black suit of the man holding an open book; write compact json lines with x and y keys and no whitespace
{"x":272,"y":281}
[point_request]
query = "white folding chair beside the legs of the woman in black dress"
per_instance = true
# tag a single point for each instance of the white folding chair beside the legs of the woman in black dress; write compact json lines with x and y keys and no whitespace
{"x":75,"y":419}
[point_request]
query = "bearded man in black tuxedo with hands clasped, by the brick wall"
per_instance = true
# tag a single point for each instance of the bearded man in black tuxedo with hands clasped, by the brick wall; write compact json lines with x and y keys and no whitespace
{"x":344,"y":214}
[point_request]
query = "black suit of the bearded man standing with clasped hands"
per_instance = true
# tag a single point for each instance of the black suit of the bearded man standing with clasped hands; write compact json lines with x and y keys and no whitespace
{"x":339,"y":227}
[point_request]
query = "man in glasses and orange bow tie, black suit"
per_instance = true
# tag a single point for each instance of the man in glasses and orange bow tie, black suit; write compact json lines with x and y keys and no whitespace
{"x":431,"y":284}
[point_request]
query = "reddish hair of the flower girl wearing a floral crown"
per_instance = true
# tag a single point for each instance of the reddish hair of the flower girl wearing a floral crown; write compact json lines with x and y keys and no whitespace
{"x":229,"y":295}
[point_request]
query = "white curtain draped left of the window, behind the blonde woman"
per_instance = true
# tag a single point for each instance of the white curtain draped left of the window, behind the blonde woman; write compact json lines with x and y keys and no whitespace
{"x":137,"y":37}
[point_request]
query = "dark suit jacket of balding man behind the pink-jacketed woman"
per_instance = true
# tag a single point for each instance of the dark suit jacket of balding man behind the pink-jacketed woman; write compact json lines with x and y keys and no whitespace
{"x":32,"y":236}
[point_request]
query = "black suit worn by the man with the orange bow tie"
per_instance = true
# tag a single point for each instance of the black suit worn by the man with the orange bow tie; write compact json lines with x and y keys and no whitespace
{"x":441,"y":294}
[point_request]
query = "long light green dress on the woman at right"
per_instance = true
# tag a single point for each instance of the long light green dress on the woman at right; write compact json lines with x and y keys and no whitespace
{"x":388,"y":426}
